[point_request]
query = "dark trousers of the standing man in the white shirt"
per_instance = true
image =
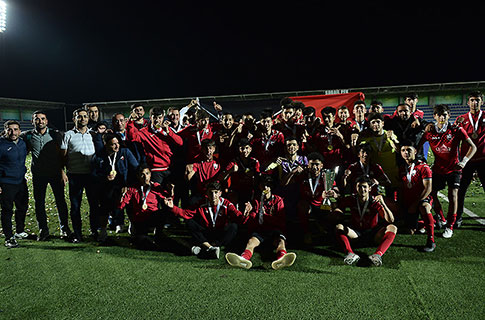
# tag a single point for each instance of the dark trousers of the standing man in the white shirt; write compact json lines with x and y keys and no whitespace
{"x":78,"y":183}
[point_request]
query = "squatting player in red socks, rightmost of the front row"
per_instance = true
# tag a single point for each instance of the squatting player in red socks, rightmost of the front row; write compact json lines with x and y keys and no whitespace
{"x":365,"y":211}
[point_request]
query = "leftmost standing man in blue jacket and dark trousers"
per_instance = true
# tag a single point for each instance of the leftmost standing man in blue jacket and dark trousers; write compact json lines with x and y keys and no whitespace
{"x":13,"y":186}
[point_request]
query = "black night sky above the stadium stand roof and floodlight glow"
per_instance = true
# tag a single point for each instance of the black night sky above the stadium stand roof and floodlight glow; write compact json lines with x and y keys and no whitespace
{"x":78,"y":51}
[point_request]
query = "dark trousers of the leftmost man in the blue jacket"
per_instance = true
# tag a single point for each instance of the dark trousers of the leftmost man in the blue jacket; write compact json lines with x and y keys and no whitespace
{"x":17,"y":194}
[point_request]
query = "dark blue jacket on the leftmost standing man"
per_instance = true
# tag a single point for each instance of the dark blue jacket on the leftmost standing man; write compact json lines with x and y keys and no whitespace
{"x":12,"y":161}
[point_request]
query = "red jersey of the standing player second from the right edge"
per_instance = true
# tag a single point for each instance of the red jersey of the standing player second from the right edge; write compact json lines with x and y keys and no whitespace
{"x":445,"y":147}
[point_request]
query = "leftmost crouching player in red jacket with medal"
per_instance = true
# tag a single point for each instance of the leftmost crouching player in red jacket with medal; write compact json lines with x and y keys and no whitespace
{"x":145,"y":211}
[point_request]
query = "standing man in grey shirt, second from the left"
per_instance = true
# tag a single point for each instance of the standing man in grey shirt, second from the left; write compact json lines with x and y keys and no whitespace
{"x":47,"y":162}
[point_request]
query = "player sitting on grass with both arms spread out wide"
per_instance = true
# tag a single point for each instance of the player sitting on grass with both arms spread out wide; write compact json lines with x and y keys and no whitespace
{"x":213,"y":222}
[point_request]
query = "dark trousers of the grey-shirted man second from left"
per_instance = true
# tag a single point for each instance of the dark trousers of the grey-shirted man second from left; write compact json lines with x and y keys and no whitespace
{"x":40,"y":186}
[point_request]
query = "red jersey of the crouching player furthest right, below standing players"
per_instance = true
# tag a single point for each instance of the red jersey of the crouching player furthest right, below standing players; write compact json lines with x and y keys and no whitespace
{"x":411,"y":190}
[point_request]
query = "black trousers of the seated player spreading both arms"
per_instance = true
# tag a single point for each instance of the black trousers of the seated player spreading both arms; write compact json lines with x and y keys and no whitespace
{"x":216,"y":237}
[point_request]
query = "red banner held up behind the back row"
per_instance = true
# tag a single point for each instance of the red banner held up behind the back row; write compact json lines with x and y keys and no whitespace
{"x":331,"y":100}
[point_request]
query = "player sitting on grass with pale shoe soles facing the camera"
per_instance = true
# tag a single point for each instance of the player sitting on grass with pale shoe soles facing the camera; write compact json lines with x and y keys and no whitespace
{"x":267,"y":223}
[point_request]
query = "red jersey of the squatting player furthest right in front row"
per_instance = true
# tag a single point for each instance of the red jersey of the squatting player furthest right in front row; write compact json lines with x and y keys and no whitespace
{"x":370,"y":215}
